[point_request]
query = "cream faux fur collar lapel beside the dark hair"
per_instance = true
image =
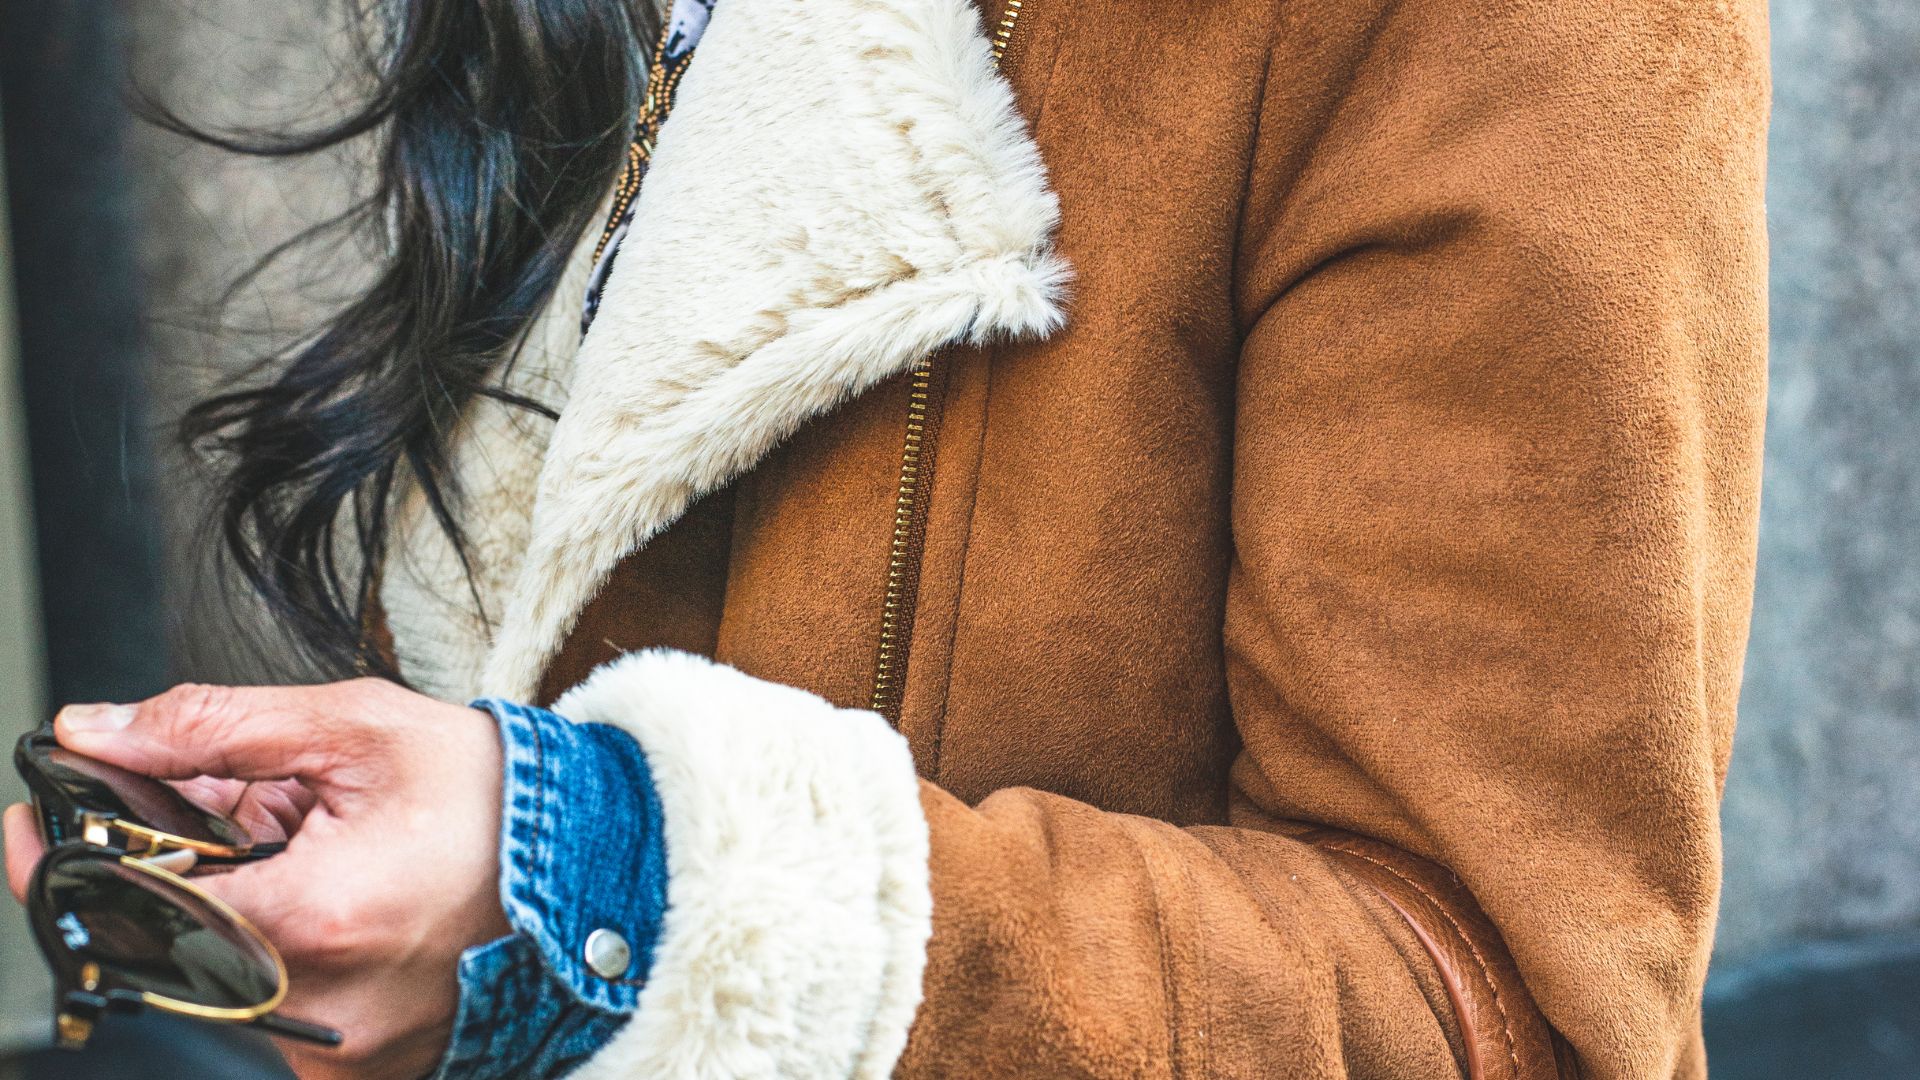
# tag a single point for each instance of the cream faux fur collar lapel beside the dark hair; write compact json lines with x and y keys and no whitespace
{"x":844,"y":187}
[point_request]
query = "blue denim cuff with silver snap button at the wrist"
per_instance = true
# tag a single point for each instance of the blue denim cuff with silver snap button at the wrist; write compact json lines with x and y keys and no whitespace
{"x":583,"y":850}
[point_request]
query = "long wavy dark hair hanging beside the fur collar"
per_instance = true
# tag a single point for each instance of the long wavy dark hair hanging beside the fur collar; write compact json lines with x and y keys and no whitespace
{"x":498,"y":130}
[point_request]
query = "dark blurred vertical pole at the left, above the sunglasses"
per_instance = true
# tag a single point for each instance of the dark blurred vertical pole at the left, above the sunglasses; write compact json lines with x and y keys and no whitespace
{"x":84,"y":381}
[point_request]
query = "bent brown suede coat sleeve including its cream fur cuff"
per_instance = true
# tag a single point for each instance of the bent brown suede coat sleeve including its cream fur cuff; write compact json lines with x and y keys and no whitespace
{"x":1495,"y":512}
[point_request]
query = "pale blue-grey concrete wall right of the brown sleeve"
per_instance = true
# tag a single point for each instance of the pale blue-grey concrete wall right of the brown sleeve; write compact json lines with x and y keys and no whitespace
{"x":1823,"y":808}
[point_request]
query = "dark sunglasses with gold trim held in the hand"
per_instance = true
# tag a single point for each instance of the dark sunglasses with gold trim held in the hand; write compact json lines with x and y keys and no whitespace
{"x":118,"y":921}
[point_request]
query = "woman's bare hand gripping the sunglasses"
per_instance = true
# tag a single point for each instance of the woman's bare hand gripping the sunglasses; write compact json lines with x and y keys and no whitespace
{"x":393,"y":868}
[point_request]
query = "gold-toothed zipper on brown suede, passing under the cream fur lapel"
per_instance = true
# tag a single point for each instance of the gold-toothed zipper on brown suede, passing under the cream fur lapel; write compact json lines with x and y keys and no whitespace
{"x":909,"y":503}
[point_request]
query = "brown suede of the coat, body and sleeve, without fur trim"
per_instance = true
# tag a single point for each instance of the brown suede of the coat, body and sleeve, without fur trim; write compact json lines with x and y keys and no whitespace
{"x":1322,"y":654}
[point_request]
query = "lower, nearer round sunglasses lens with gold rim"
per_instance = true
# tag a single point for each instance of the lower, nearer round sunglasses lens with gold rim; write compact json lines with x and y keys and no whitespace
{"x":149,"y":935}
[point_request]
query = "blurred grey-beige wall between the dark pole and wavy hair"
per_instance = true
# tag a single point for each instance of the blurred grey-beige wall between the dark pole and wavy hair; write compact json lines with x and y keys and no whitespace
{"x":210,"y":216}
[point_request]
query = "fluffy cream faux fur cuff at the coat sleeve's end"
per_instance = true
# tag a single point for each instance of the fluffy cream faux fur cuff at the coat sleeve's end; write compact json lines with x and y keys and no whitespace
{"x":798,"y":877}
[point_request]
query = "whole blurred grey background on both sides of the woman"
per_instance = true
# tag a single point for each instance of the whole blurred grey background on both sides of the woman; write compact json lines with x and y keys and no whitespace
{"x":122,"y":237}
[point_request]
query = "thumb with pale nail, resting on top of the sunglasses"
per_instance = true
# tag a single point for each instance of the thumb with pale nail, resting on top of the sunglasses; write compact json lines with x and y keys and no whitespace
{"x":206,"y":731}
